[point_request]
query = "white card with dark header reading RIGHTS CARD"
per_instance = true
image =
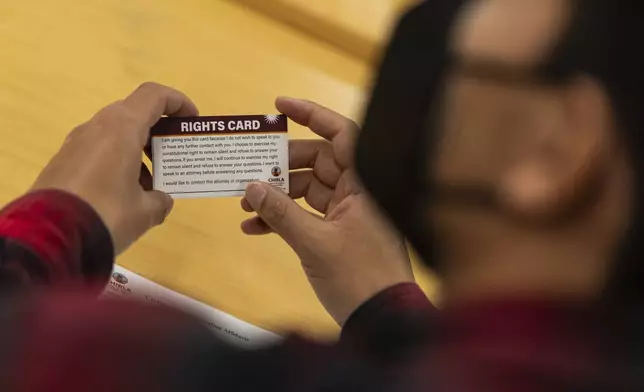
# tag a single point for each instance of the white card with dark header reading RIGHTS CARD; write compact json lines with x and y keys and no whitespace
{"x":218,"y":156}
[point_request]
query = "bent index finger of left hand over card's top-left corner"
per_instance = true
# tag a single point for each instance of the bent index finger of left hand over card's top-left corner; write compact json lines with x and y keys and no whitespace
{"x":150,"y":101}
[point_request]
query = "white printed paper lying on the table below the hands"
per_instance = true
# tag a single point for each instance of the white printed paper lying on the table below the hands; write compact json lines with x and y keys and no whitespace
{"x":126,"y":284}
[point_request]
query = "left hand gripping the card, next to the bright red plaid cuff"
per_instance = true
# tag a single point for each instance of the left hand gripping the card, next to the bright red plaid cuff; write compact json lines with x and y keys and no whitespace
{"x":100,"y":162}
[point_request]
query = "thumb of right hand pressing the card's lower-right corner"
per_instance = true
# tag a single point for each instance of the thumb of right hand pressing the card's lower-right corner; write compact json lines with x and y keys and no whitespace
{"x":281,"y":213}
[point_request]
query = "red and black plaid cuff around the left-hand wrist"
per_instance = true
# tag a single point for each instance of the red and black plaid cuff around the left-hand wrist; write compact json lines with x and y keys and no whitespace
{"x":51,"y":237}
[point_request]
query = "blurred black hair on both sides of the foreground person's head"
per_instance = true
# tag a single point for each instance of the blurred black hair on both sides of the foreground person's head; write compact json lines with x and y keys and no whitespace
{"x":598,"y":42}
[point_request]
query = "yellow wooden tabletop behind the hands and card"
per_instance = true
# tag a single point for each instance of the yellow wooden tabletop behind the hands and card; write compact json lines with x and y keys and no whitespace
{"x":61,"y":61}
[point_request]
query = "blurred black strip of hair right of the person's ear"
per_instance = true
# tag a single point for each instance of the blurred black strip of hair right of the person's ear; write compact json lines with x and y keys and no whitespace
{"x":601,"y":42}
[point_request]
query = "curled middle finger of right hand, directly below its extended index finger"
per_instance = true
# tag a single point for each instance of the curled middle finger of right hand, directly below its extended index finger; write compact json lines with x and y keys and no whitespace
{"x":316,"y":154}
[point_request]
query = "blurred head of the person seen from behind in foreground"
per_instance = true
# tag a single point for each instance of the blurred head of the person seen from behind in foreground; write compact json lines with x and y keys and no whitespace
{"x":519,"y":123}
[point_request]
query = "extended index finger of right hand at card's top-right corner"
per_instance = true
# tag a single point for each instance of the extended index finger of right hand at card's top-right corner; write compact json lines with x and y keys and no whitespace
{"x":323,"y":121}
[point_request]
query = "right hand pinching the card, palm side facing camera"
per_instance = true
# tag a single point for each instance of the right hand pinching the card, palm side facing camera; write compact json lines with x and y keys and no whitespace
{"x":351,"y":253}
